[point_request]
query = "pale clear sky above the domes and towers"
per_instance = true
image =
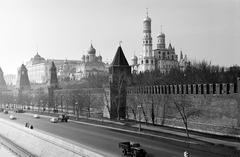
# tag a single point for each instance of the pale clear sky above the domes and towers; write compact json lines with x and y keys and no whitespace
{"x":64,"y":29}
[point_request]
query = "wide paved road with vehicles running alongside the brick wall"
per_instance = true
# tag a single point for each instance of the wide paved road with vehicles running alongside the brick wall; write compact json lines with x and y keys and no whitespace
{"x":103,"y":140}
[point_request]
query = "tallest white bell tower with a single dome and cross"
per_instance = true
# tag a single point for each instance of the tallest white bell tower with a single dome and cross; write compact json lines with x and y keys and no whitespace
{"x":147,"y":61}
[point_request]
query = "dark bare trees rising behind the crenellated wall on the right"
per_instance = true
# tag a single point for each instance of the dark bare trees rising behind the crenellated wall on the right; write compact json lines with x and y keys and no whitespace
{"x":202,"y":72}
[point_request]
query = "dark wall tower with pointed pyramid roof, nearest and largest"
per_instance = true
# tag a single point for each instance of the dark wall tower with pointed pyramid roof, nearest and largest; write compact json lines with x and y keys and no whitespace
{"x":120,"y":72}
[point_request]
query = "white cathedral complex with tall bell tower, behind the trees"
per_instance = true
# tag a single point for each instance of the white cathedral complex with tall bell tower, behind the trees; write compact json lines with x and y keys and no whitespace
{"x":162,"y":58}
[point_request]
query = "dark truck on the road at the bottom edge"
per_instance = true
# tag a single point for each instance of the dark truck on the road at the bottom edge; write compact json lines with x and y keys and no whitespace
{"x":132,"y":149}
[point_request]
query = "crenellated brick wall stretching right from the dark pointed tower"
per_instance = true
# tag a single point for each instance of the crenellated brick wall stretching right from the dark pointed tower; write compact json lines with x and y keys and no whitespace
{"x":217,"y":106}
